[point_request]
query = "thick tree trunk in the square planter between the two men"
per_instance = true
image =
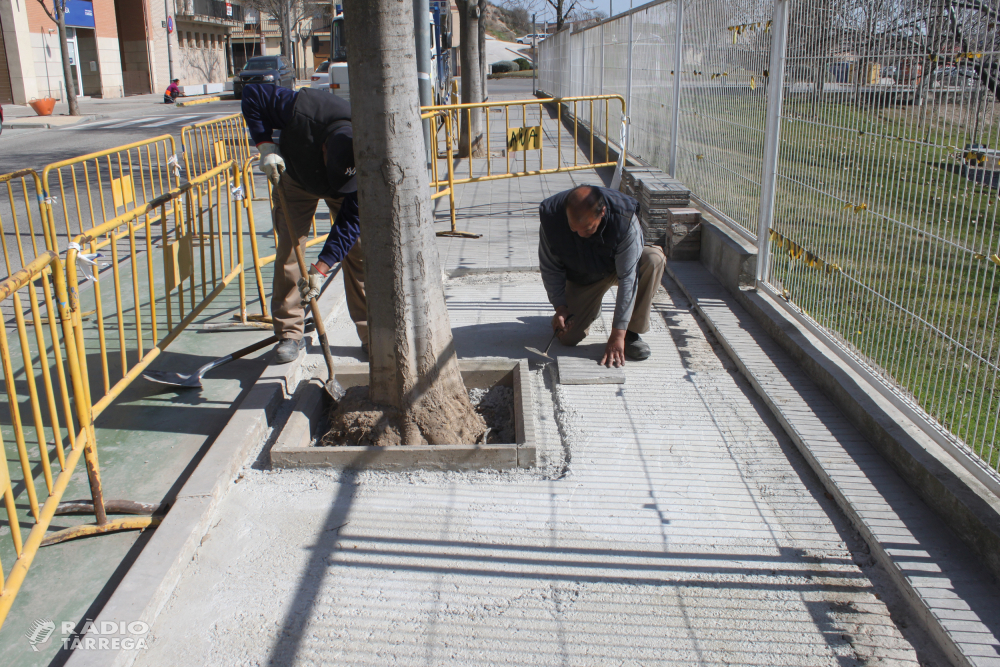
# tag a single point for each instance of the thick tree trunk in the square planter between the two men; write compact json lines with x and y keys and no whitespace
{"x":413,"y":367}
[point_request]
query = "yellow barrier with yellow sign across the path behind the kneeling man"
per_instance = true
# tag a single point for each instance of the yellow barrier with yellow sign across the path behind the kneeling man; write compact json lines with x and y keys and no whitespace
{"x":526,"y":141}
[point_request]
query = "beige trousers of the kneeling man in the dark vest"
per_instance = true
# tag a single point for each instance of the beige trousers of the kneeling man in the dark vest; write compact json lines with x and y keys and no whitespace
{"x":584,"y":301}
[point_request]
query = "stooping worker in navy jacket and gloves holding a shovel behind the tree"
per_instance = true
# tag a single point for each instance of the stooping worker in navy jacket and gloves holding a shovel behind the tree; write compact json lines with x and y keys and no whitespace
{"x":316,"y":152}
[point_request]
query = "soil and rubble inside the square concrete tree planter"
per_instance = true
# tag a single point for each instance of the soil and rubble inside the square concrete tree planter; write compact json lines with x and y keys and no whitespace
{"x":356,"y":421}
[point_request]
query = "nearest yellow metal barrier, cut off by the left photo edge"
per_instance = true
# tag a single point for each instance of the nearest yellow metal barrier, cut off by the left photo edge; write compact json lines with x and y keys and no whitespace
{"x":54,"y":418}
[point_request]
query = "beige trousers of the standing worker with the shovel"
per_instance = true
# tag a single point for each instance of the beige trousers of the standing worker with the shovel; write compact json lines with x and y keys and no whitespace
{"x":286,"y":302}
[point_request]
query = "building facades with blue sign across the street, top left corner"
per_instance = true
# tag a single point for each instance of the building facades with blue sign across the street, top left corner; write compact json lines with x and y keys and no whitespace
{"x":116,"y":47}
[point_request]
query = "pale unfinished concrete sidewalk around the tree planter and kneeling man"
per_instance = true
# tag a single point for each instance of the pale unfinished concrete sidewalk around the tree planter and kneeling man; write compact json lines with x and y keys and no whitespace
{"x":670,"y":519}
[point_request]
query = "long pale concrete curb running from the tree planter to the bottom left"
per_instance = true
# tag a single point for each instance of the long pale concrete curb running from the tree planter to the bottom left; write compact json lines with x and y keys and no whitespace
{"x":151,"y":580}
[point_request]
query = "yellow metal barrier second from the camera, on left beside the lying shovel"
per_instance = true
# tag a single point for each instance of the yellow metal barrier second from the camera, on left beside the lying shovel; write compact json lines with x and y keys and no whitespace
{"x":190,"y":242}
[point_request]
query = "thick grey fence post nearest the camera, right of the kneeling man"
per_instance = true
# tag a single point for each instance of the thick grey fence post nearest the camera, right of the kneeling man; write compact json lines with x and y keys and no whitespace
{"x":772,"y":136}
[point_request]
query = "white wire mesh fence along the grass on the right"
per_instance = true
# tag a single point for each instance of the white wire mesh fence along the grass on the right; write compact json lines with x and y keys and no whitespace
{"x":862,"y":138}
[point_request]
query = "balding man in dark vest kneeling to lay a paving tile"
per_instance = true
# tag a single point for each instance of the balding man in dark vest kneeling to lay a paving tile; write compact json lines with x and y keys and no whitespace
{"x":591,"y":239}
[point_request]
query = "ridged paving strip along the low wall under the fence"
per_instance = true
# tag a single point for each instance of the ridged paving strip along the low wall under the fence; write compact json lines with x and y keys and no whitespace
{"x":954,"y":595}
